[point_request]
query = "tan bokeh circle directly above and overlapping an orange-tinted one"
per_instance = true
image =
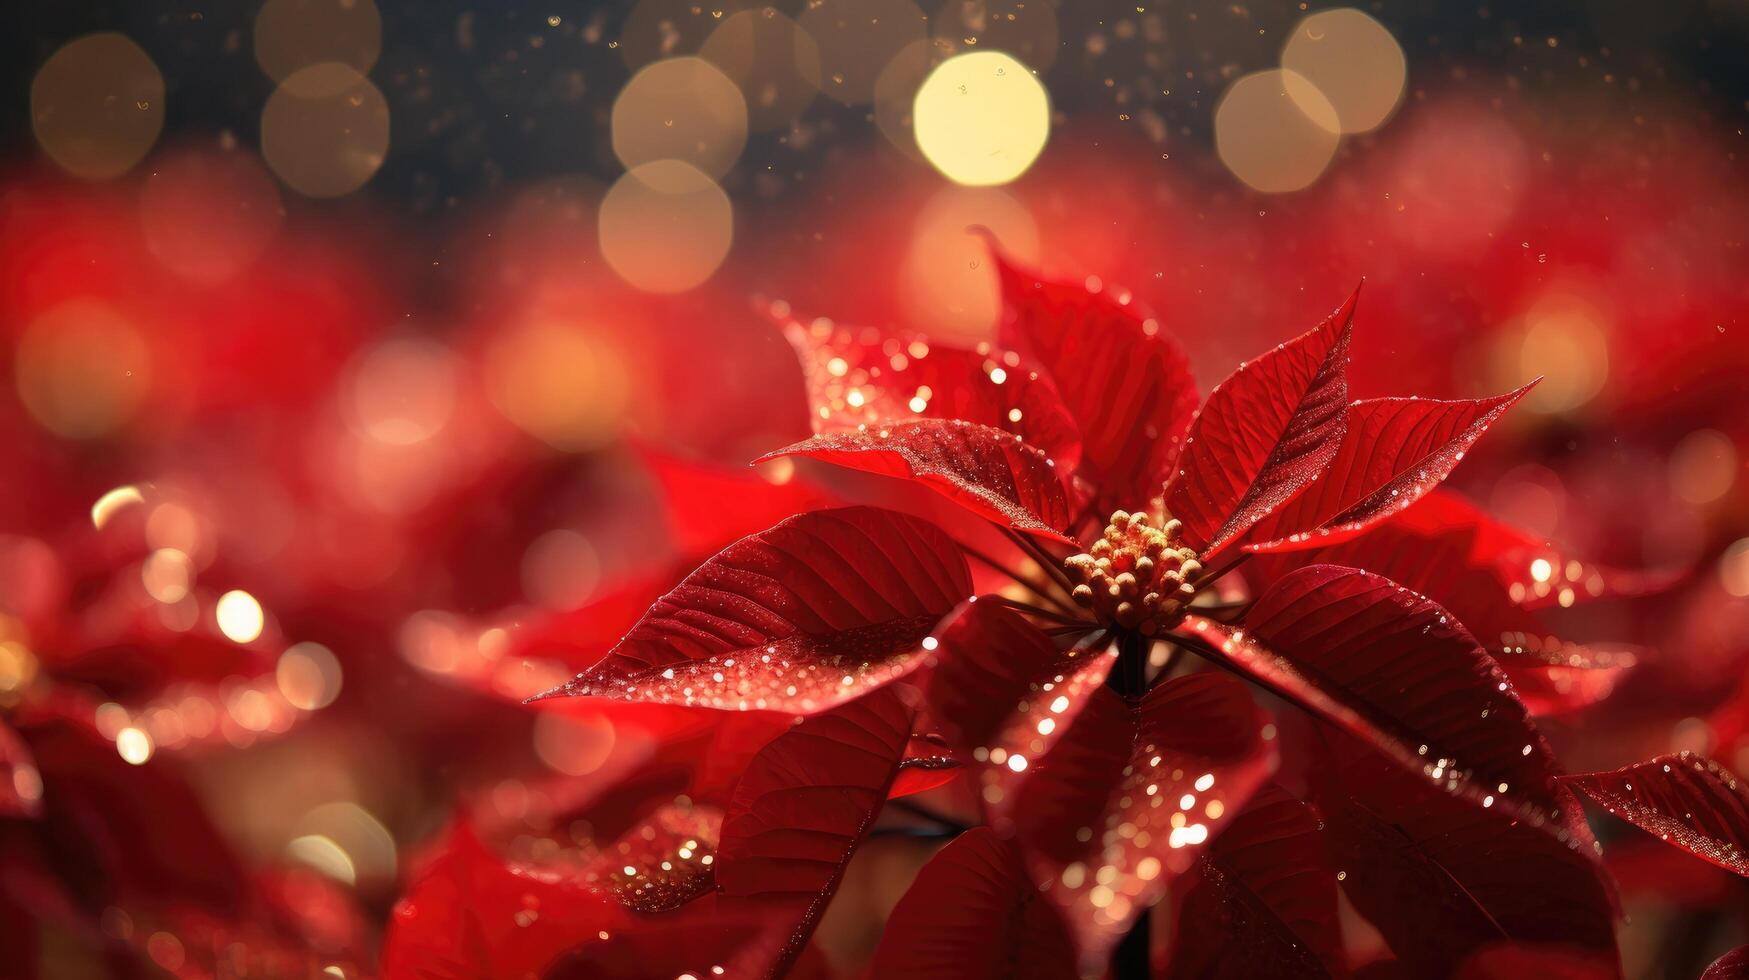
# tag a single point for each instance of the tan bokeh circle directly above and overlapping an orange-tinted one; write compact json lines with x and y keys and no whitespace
{"x":681,"y":109}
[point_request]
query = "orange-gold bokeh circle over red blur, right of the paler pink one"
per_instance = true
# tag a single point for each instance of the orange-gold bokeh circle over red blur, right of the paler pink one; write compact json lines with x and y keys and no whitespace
{"x":559,"y":382}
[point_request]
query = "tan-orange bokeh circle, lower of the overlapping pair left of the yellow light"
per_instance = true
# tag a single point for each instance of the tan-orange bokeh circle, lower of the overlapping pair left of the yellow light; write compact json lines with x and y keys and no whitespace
{"x":665,"y":227}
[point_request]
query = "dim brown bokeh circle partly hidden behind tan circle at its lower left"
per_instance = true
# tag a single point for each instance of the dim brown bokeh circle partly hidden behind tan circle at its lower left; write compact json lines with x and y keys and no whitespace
{"x":776,"y":64}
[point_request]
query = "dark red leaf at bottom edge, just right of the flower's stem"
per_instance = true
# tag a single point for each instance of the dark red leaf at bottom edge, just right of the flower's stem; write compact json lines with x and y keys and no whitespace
{"x":1262,"y":900}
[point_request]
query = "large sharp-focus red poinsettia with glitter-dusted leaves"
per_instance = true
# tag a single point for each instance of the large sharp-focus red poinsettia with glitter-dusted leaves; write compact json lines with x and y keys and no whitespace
{"x":1202,"y":669}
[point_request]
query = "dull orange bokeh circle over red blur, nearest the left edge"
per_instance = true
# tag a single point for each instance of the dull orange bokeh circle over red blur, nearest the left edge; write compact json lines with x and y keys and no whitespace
{"x":83,"y":370}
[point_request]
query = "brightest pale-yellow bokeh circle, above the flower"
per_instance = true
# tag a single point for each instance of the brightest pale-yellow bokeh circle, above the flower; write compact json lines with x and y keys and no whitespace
{"x":982,"y":118}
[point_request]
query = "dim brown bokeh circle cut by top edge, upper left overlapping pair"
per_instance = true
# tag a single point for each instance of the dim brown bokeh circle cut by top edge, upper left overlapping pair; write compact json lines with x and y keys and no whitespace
{"x":296,"y":34}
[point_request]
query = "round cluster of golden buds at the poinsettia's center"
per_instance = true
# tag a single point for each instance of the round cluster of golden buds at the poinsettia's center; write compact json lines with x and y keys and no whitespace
{"x":1136,"y":577}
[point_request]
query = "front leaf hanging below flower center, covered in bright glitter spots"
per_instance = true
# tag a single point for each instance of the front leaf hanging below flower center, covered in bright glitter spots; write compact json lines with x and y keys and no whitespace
{"x":1122,"y":804}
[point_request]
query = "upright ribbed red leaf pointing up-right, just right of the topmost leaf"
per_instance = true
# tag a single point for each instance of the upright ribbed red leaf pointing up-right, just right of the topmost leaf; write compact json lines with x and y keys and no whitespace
{"x":1264,"y":437}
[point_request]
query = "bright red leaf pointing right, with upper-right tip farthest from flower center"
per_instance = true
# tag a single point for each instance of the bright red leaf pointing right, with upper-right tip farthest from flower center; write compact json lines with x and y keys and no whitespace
{"x":1393,"y":454}
